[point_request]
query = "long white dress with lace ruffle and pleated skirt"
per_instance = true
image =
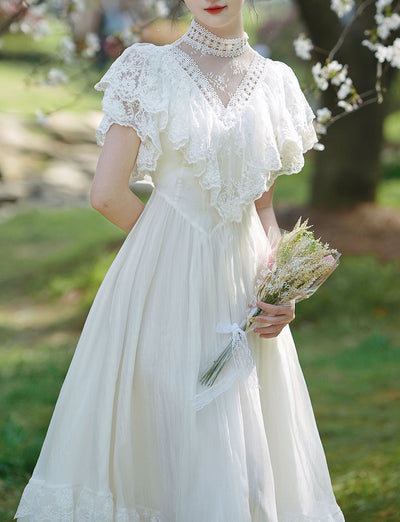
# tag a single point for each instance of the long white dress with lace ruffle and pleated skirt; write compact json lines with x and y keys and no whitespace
{"x":126,"y":442}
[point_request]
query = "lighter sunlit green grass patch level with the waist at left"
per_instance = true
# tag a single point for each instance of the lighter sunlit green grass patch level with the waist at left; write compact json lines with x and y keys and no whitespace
{"x":43,"y":244}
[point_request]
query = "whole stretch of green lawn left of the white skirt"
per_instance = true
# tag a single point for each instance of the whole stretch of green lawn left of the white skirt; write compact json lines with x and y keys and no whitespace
{"x":54,"y":263}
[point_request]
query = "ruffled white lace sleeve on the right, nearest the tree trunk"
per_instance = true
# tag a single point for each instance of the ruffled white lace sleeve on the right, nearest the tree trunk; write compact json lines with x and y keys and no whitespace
{"x":295,"y":130}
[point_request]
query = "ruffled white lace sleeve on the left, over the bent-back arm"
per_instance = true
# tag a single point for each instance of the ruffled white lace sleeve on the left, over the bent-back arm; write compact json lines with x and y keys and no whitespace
{"x":132,"y":98}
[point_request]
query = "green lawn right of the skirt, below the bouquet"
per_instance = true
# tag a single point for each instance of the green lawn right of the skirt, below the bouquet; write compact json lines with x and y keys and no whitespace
{"x":349,"y":345}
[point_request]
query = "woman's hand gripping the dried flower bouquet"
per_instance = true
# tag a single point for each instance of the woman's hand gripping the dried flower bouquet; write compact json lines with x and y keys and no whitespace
{"x":273,"y":319}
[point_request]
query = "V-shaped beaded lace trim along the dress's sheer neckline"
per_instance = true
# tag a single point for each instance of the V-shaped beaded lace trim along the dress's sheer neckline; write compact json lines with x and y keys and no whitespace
{"x":242,"y":94}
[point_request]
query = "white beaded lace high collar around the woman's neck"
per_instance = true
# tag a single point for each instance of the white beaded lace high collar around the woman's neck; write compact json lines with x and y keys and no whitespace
{"x":209,"y":43}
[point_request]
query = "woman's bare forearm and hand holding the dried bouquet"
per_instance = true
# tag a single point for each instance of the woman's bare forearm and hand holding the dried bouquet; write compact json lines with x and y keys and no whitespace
{"x":274,"y":317}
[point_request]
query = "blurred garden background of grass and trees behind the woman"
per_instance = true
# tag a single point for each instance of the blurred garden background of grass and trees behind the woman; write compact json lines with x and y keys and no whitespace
{"x":55,"y":250}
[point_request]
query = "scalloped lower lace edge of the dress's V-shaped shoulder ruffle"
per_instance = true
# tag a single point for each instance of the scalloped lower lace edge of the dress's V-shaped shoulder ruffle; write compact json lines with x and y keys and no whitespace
{"x":291,"y":150}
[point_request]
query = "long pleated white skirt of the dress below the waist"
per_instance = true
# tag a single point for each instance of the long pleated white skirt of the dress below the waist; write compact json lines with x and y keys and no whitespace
{"x":125,"y":441}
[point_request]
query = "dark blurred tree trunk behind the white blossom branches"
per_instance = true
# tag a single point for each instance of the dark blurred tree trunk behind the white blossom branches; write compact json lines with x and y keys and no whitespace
{"x":348,"y":171}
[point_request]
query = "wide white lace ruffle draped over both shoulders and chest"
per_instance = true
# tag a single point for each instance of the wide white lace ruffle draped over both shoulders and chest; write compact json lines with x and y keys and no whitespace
{"x":236,"y":157}
